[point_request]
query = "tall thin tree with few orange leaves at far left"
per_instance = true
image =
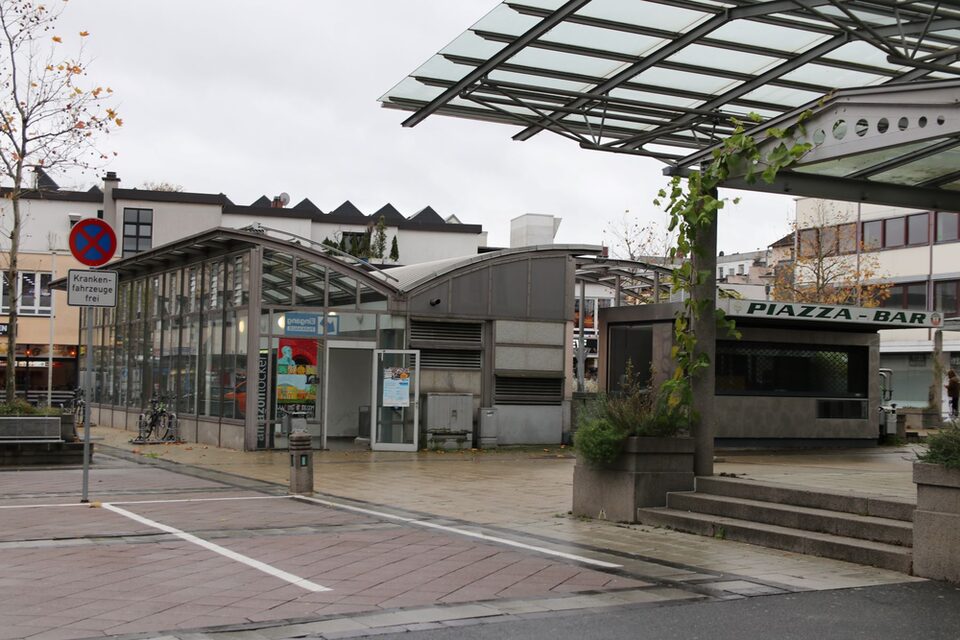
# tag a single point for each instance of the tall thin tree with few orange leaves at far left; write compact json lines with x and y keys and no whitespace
{"x":49,"y":119}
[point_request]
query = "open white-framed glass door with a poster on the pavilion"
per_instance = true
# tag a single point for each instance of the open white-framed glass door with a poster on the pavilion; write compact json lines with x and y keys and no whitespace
{"x":395,"y":400}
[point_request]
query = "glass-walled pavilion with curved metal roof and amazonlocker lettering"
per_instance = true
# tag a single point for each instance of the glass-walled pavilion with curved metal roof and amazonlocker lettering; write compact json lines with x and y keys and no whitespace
{"x":249,"y":335}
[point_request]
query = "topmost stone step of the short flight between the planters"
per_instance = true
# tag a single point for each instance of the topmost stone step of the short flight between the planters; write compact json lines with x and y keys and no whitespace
{"x":848,"y":502}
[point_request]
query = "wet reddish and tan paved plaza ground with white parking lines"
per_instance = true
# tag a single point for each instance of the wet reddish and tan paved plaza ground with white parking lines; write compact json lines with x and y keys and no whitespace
{"x":189,"y":541}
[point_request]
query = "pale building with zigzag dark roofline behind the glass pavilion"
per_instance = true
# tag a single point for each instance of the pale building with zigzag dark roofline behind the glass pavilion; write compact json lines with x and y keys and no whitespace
{"x":143,"y":219}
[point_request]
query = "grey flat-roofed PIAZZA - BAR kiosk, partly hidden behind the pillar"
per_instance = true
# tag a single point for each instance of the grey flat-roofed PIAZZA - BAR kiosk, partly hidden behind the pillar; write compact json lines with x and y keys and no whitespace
{"x":800,"y":374}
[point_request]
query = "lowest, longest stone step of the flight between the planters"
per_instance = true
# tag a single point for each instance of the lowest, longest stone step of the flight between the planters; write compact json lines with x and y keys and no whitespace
{"x":877,"y":554}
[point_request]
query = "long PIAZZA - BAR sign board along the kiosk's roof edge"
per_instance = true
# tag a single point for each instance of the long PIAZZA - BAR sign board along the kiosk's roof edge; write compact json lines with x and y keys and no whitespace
{"x":892,"y":318}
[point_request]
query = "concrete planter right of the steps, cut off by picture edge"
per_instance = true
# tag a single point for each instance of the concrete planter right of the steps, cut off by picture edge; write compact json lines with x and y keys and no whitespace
{"x":936,"y":522}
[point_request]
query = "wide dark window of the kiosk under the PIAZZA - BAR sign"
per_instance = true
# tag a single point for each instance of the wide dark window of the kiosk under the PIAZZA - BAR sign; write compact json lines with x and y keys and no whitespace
{"x":782,"y":369}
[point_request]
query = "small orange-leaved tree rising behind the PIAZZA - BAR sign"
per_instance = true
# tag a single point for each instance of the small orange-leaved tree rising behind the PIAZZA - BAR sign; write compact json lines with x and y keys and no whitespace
{"x":828,"y":267}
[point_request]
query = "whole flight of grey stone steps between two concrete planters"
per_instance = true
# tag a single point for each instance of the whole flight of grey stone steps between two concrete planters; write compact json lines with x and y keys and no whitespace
{"x":856,"y":528}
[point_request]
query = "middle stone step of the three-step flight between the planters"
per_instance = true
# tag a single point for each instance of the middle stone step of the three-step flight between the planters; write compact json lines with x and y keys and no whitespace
{"x":896,"y":532}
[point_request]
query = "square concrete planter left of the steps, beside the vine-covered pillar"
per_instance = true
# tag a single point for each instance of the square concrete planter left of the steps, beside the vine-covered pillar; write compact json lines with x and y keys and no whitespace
{"x":641,"y":476}
